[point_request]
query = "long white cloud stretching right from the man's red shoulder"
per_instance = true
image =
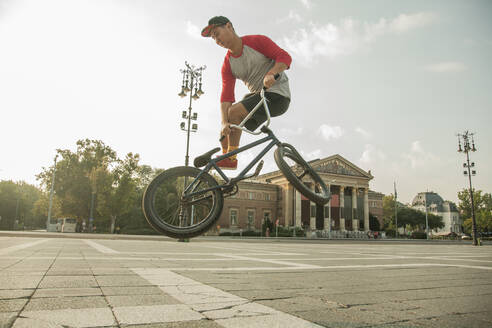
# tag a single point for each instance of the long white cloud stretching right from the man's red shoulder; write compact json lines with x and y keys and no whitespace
{"x":334,"y":40}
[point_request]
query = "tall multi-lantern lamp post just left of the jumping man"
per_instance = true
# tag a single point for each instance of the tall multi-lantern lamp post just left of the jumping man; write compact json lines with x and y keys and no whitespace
{"x":192,"y":83}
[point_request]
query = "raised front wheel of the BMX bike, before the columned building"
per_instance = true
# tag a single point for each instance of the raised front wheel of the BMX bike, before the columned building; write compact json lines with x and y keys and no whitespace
{"x":286,"y":153}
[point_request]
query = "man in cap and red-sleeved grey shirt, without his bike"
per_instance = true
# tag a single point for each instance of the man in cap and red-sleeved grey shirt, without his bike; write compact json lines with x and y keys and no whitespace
{"x":254,"y":59}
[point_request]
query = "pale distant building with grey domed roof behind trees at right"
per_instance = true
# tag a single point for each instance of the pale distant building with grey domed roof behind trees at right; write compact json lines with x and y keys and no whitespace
{"x":445,"y":209}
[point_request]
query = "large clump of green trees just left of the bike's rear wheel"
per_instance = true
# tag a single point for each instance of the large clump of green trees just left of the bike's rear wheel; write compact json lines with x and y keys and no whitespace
{"x":94,"y":170}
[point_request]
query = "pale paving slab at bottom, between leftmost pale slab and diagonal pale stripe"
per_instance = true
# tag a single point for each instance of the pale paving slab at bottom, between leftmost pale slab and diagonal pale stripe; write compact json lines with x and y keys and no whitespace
{"x":155,"y":314}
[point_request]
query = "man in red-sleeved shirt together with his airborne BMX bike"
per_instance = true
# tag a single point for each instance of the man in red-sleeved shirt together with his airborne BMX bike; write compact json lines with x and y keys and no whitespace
{"x":185,"y":201}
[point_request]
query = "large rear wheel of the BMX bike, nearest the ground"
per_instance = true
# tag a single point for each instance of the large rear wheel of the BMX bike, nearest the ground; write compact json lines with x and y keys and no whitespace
{"x":162,"y":201}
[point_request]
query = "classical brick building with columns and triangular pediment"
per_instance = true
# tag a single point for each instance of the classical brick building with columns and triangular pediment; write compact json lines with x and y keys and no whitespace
{"x":271,"y":196}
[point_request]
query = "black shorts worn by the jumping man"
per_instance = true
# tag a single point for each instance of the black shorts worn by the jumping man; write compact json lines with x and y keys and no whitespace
{"x":277,"y":104}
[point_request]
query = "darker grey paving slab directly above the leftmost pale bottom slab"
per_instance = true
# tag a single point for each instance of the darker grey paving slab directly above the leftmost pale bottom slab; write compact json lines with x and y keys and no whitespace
{"x":57,"y":303}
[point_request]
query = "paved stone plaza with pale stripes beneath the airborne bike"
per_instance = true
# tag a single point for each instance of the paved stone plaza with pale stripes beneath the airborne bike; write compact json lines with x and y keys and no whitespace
{"x":73,"y":282}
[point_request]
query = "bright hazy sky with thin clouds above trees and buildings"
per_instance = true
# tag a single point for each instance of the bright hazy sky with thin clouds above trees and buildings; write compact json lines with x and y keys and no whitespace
{"x":385,"y":84}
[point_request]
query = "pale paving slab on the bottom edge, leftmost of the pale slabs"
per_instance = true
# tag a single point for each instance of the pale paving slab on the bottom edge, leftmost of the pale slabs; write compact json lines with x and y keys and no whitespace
{"x":95,"y":317}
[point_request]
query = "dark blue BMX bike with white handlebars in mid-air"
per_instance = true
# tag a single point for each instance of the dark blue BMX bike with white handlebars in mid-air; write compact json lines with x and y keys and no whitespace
{"x":185,"y":201}
